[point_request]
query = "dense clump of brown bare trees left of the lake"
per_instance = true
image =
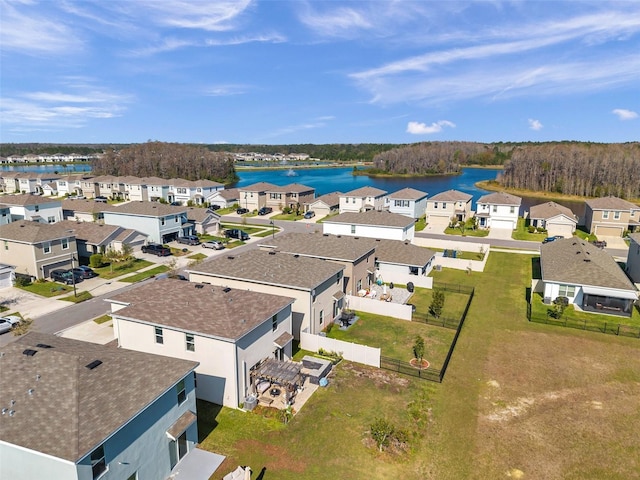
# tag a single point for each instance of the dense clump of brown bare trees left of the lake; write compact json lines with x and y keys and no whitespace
{"x":167,"y":160}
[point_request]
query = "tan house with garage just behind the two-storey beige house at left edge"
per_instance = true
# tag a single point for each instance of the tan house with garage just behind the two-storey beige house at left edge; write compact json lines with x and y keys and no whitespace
{"x":94,"y":237}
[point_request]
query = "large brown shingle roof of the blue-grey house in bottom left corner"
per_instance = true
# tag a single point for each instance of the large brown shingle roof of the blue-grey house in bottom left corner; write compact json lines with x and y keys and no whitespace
{"x":72,"y":409}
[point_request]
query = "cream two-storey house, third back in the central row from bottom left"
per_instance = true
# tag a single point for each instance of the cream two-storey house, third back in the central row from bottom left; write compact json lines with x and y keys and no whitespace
{"x":316,"y":285}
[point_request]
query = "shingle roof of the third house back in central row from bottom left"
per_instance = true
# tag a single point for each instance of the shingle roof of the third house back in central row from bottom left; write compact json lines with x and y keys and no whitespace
{"x":274,"y":269}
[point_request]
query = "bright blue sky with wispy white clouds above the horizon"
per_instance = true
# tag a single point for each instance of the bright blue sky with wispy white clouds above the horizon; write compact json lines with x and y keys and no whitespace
{"x":275,"y":72}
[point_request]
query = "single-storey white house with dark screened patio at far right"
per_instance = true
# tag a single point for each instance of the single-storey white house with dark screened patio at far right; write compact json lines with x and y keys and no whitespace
{"x":587,"y":275}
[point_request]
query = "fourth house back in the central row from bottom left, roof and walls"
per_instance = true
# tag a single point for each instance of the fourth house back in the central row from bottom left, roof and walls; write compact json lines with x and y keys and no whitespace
{"x":355,"y":254}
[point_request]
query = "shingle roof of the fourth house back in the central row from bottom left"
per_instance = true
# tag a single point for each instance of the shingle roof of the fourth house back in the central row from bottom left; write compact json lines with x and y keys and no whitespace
{"x":331,"y":247}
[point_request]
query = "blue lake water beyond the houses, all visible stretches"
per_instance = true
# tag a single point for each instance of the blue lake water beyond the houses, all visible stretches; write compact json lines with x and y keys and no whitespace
{"x":326,"y":180}
